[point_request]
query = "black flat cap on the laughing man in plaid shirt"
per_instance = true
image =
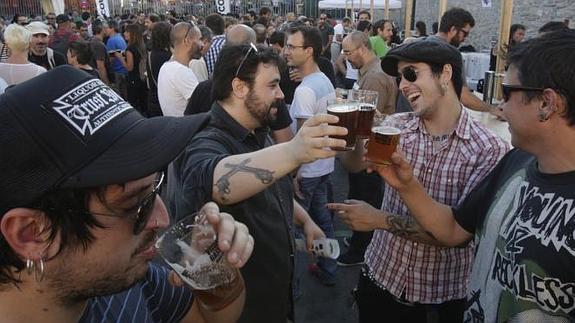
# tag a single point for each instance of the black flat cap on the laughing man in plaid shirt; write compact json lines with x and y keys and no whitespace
{"x":431,"y":51}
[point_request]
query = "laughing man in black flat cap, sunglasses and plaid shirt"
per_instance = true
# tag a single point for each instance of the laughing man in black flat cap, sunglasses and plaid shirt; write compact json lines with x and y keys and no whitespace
{"x":405,"y":270}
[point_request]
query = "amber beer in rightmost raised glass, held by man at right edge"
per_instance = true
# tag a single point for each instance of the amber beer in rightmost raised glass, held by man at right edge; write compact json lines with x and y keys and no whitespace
{"x":382,"y":143}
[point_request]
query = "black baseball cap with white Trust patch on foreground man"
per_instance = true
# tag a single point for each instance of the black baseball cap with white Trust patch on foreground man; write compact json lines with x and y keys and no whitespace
{"x":65,"y":129}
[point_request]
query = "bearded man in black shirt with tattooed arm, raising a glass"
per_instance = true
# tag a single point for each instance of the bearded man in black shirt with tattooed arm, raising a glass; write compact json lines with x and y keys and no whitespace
{"x":232,"y":161}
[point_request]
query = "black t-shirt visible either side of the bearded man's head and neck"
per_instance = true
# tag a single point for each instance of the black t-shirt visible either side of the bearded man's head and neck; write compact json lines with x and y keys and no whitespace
{"x":202,"y":100}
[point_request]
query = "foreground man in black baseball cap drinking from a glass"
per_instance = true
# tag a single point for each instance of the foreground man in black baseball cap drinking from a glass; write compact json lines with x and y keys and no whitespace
{"x":79,"y":207}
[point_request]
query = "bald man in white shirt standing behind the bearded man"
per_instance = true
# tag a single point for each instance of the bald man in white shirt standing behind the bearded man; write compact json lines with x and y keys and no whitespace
{"x":176,"y":81}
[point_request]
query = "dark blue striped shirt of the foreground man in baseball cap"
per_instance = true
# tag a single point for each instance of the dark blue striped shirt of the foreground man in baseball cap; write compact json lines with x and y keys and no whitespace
{"x":151,"y":300}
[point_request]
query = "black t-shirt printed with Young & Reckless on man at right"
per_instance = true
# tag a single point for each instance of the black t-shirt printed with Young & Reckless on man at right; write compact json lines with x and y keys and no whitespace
{"x":524,"y":223}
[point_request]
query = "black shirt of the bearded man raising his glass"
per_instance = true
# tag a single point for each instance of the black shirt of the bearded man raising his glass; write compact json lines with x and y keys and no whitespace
{"x":268,"y":214}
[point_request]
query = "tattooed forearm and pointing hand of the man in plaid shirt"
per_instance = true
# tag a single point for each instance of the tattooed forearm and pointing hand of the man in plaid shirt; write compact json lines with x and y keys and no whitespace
{"x":361,"y":216}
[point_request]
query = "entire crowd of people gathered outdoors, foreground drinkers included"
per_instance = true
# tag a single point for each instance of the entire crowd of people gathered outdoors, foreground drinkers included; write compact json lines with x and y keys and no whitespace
{"x":228,"y":114}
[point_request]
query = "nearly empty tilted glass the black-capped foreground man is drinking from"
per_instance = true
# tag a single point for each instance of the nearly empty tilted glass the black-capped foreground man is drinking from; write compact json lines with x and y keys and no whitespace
{"x":190,"y":247}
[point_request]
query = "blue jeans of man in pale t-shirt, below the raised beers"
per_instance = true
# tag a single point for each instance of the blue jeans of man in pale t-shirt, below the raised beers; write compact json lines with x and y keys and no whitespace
{"x":316,"y":194}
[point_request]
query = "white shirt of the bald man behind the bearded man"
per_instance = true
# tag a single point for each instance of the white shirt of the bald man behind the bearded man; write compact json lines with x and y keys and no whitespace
{"x":176,"y":83}
